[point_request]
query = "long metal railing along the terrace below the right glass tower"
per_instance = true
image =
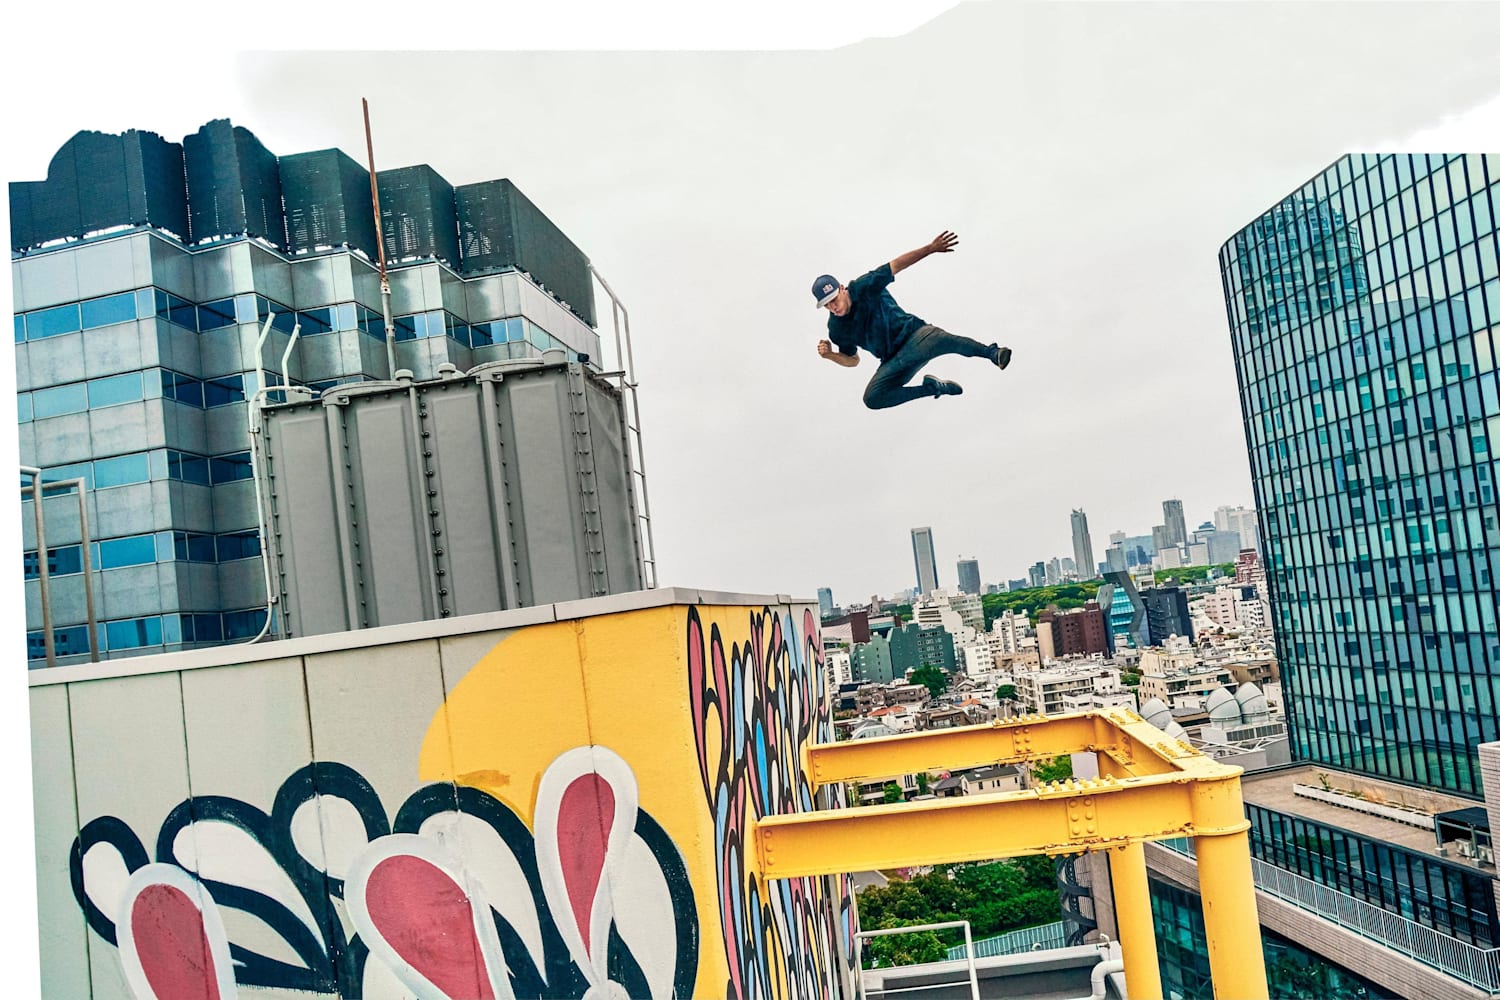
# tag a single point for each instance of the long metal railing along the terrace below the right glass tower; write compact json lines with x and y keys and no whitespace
{"x":1475,"y":966}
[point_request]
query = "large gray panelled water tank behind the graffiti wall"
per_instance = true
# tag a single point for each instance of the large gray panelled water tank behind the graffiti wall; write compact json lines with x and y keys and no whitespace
{"x":406,"y":501}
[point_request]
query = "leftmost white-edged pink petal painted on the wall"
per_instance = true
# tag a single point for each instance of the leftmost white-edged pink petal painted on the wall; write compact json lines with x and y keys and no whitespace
{"x":172,"y":938}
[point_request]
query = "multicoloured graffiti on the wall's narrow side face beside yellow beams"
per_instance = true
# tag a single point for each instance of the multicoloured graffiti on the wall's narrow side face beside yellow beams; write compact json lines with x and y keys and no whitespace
{"x":755,"y":704}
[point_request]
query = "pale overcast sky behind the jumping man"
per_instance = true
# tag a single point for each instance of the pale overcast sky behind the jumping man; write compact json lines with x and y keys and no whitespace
{"x":1091,"y":157}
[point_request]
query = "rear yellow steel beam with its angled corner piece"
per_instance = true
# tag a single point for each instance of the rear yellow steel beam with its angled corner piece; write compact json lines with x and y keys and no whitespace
{"x":1127,"y":744}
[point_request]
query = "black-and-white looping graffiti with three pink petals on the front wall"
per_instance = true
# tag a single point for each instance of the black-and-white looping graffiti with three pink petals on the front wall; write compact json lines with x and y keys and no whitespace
{"x":454,"y":899}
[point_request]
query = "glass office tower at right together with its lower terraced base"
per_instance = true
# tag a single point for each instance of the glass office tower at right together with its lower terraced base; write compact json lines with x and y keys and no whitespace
{"x":1364,"y":311}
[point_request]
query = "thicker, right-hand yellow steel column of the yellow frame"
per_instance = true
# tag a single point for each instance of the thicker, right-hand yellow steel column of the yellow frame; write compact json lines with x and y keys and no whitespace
{"x":1228,"y":887}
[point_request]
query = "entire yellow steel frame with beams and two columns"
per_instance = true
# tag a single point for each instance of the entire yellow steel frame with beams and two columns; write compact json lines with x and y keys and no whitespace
{"x":1151,"y":788}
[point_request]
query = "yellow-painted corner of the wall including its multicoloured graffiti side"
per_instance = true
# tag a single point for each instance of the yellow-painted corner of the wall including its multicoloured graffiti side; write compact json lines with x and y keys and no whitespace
{"x":710,"y":707}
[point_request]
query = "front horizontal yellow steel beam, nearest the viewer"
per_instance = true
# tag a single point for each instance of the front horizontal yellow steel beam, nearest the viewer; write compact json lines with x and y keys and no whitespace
{"x":1064,"y":818}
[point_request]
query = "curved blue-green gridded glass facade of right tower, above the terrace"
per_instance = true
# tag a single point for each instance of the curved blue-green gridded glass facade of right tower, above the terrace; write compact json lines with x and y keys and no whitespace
{"x":1364,"y":314}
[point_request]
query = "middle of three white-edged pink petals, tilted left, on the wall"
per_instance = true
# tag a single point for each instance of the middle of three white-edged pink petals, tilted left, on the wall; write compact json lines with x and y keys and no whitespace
{"x":421,"y":915}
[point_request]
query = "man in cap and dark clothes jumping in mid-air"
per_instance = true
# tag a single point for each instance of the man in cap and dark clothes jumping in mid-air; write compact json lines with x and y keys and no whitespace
{"x":865,"y":316}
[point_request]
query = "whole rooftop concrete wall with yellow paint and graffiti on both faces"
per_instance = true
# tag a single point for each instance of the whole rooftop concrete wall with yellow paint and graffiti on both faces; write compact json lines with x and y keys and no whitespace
{"x":542,"y":803}
